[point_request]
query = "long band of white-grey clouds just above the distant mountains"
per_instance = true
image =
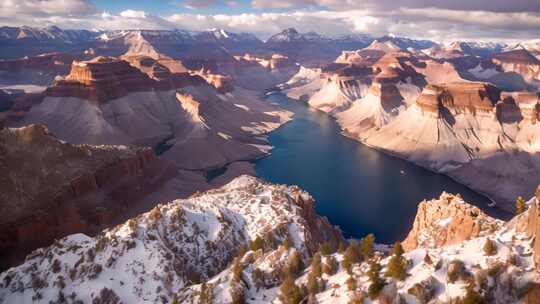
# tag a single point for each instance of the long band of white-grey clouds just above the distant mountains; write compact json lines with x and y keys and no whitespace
{"x":441,"y":24}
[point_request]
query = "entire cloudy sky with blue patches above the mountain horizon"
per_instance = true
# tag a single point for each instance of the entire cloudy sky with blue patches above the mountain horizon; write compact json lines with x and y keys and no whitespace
{"x":439,"y":20}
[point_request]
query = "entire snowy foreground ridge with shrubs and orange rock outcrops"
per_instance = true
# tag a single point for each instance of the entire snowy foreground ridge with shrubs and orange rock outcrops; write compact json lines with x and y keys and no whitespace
{"x":254,"y":242}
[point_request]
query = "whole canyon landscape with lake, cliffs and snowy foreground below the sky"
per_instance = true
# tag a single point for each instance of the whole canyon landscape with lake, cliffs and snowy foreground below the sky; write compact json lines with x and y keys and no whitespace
{"x":130,"y":156}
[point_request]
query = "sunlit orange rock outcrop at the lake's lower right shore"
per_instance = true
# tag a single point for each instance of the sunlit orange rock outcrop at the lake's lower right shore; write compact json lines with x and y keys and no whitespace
{"x":447,"y":221}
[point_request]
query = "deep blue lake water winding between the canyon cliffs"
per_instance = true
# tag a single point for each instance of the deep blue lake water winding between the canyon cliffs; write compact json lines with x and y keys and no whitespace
{"x":358,"y":188}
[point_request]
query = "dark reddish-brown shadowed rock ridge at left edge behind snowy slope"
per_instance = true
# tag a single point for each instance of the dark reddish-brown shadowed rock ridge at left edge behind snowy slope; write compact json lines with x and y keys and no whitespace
{"x":51,"y":189}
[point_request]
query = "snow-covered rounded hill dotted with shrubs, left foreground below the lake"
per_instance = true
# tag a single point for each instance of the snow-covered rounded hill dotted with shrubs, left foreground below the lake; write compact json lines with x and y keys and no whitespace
{"x":152,"y":257}
